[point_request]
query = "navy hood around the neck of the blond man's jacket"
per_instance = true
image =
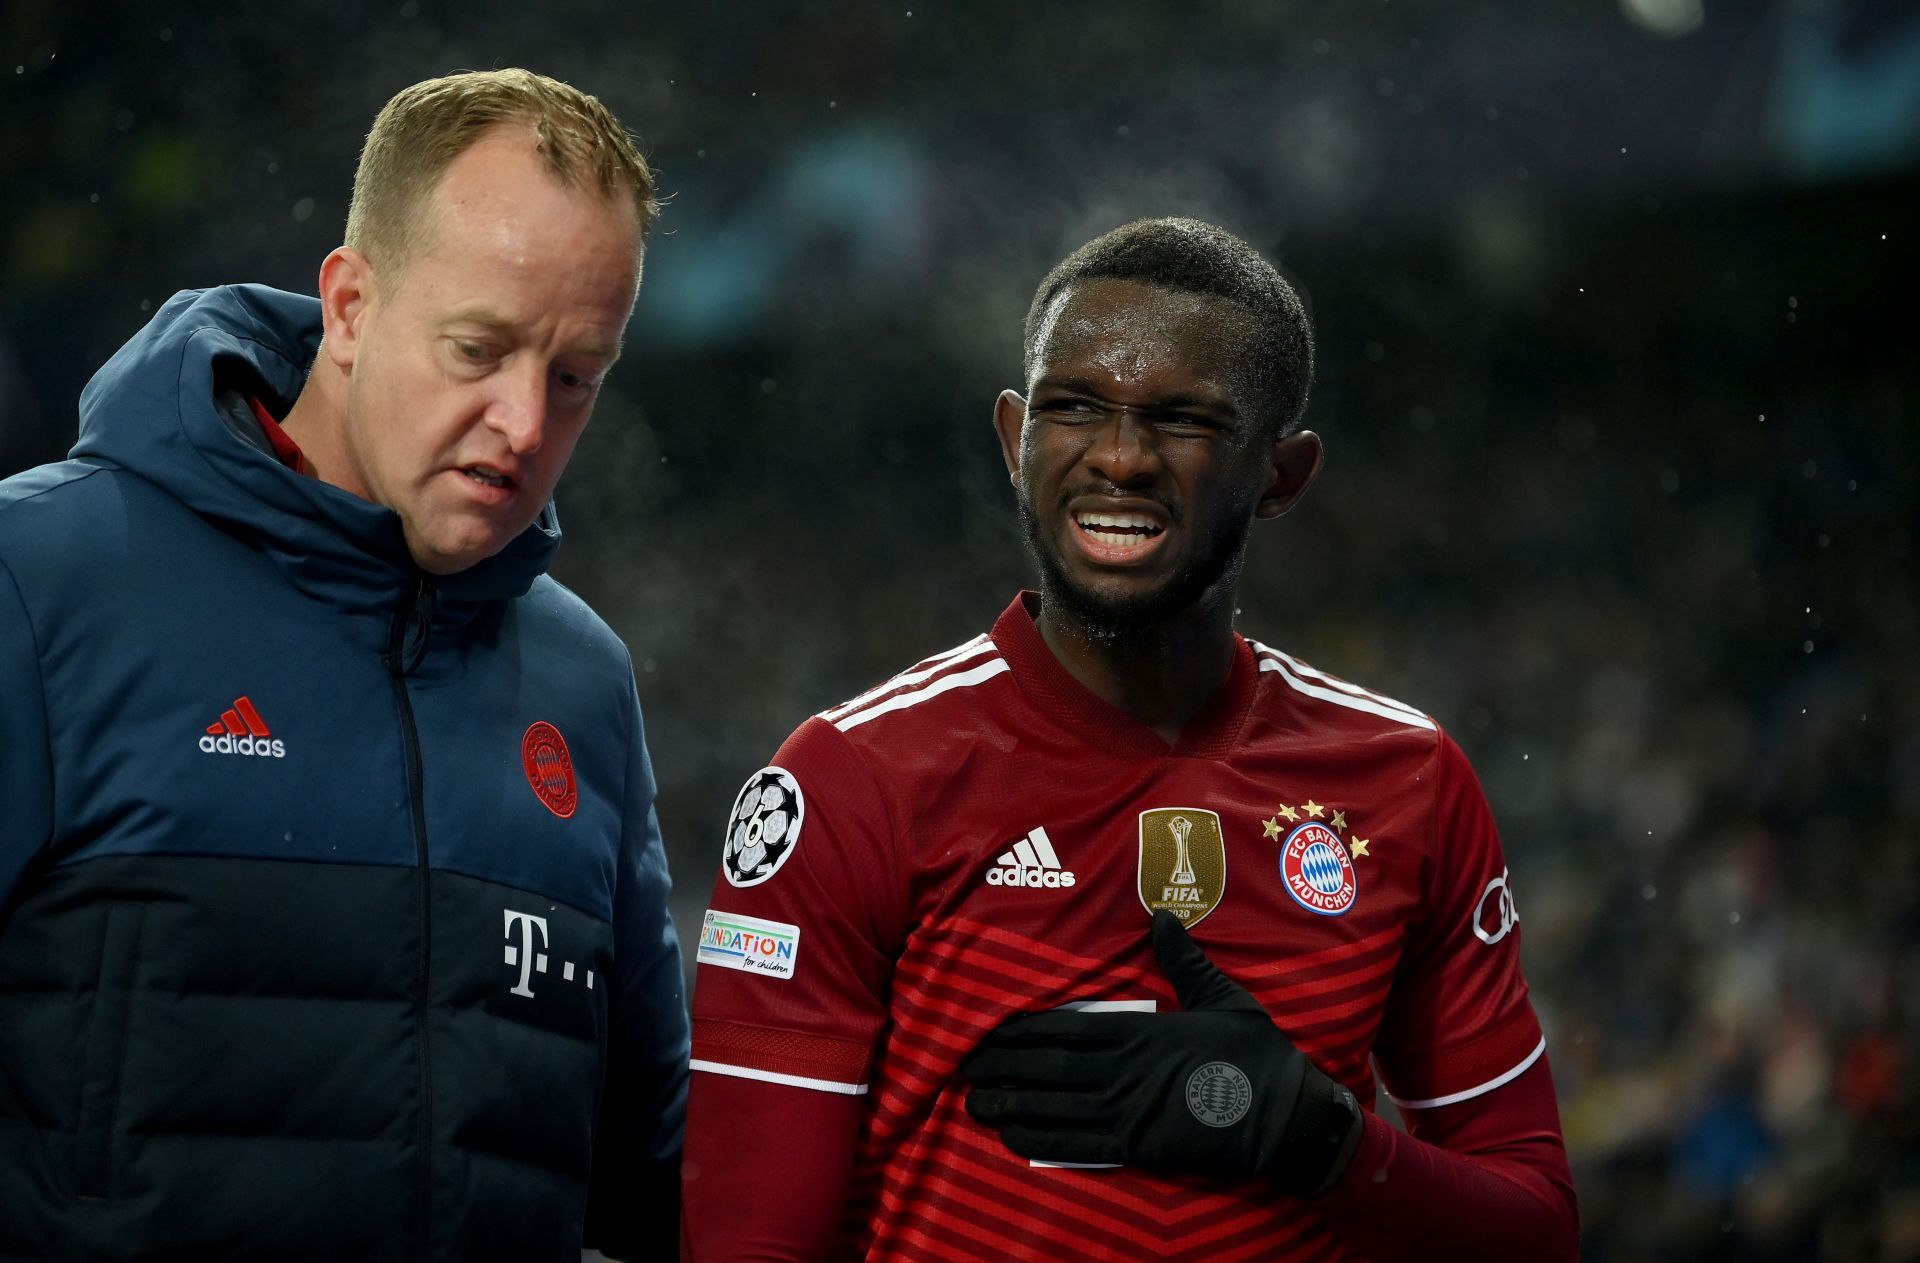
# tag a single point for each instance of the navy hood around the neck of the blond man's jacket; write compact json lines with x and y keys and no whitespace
{"x":153,"y":412}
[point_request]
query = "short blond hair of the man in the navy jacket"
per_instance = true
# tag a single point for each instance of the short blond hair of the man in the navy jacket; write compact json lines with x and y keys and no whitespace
{"x":423,"y":130}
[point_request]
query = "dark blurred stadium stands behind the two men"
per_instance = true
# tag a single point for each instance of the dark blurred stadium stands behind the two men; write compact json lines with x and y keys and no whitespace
{"x":1618,"y":383}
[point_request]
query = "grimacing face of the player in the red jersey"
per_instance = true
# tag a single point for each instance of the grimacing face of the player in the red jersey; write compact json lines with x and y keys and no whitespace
{"x":1141,"y":454}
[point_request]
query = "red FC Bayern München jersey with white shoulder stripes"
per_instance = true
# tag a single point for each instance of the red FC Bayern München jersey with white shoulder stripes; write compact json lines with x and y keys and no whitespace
{"x":982,"y":838}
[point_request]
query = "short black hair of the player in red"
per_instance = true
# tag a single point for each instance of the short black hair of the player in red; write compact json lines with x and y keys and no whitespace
{"x":1193,"y":256}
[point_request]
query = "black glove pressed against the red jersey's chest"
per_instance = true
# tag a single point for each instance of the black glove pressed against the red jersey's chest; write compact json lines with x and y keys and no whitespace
{"x":1211,"y":1091}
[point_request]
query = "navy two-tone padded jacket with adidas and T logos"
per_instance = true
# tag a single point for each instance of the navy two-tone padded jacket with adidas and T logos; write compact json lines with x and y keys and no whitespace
{"x":333,"y":907}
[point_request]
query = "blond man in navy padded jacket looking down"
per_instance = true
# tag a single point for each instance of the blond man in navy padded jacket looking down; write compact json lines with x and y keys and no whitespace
{"x":333,"y":907}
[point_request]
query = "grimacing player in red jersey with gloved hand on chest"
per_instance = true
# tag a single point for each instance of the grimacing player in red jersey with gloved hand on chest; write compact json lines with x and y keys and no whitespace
{"x":1084,"y":940}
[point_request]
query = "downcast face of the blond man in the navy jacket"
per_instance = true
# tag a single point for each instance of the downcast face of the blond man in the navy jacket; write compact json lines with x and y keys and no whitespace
{"x":475,"y":371}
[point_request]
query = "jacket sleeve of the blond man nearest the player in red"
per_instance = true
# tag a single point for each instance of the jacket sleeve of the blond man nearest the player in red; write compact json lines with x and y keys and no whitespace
{"x":635,"y":1193}
